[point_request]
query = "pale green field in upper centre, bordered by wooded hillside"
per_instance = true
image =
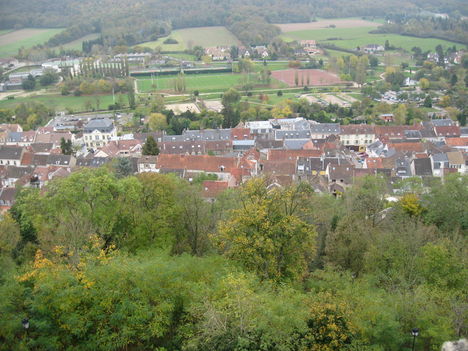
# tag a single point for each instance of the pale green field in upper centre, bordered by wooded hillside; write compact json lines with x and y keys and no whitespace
{"x":202,"y":36}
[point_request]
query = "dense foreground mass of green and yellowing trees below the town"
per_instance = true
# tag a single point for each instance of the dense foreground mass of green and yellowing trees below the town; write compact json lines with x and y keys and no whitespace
{"x":106,"y":261}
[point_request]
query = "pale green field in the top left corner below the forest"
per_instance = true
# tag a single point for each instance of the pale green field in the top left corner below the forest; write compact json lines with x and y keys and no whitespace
{"x":11,"y":41}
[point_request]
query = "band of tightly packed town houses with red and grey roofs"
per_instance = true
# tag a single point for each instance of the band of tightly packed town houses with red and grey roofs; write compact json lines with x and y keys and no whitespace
{"x":329,"y":156}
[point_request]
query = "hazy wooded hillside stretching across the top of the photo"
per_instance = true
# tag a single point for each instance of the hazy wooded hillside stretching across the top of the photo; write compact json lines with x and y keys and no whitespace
{"x":129,"y":23}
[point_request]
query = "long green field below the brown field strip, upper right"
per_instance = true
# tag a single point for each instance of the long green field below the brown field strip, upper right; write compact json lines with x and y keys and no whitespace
{"x":350,"y":38}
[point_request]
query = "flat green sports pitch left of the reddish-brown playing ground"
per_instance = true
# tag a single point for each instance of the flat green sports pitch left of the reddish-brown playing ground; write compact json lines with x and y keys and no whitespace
{"x":202,"y":82}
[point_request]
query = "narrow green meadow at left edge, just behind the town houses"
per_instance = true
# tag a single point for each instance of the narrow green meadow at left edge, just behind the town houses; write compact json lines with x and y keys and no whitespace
{"x":62,"y":103}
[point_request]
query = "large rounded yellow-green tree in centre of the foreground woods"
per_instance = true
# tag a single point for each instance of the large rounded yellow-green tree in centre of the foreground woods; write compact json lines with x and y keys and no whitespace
{"x":266,"y":234}
